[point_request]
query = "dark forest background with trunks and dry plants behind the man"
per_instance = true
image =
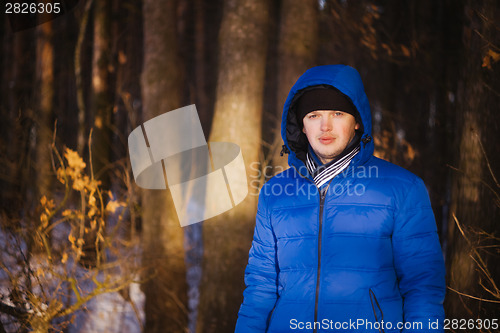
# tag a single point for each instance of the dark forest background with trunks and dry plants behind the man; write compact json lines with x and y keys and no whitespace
{"x":73,"y":224}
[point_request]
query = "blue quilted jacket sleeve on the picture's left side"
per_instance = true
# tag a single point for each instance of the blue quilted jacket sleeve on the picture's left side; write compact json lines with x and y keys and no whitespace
{"x":261,"y":273}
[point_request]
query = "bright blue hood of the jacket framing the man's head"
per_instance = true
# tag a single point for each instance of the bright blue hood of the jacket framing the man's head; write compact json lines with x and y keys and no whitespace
{"x":341,"y":77}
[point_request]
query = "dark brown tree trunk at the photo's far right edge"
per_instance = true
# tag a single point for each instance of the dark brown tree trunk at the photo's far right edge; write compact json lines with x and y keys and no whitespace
{"x":475,"y":200}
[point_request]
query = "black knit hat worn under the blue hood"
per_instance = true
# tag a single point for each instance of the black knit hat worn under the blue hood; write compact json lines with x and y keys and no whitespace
{"x":323,"y":99}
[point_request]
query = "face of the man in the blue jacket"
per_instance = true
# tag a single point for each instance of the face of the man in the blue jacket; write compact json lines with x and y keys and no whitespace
{"x":329,"y":132}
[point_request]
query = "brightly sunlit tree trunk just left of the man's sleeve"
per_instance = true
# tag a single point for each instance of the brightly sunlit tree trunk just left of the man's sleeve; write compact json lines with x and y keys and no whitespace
{"x":237,"y":119}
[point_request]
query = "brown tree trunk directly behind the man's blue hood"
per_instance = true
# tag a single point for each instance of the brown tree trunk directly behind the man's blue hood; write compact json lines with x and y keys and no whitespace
{"x":298,"y":44}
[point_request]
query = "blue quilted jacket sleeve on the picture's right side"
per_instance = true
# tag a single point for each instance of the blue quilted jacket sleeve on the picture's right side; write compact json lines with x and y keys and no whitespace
{"x":418,"y":260}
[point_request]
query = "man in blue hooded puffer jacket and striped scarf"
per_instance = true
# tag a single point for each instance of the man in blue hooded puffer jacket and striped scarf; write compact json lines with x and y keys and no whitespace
{"x":343,"y":240}
